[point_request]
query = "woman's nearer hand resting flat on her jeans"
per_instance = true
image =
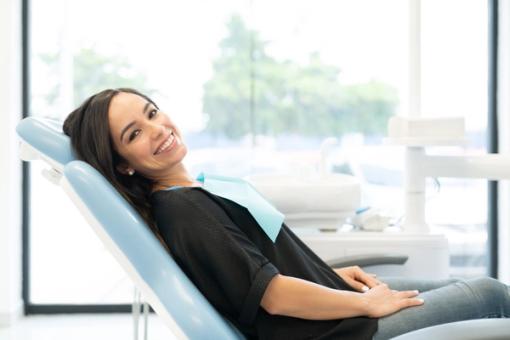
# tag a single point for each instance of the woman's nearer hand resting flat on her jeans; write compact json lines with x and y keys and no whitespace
{"x":382,"y":301}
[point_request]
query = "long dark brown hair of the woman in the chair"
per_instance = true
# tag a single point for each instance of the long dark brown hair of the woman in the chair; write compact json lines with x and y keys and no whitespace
{"x":89,"y":129}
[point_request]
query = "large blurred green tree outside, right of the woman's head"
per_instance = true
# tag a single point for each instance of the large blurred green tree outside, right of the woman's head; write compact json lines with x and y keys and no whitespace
{"x":287,"y":98}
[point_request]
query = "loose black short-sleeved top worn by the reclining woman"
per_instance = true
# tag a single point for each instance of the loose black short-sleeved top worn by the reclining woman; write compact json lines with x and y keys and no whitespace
{"x":223,"y":250}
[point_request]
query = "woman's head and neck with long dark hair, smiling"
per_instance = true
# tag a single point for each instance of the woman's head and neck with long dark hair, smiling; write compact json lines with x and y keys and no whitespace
{"x":137,"y":148}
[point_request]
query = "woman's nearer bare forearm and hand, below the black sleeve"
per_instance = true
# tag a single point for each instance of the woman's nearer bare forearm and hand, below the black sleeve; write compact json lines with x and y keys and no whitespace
{"x":299,"y":298}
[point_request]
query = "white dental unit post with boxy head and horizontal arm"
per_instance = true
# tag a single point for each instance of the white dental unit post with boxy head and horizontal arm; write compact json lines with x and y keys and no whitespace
{"x":418,"y":133}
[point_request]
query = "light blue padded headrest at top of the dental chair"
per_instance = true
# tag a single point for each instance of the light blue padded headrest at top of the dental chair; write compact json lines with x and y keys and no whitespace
{"x":43,"y":138}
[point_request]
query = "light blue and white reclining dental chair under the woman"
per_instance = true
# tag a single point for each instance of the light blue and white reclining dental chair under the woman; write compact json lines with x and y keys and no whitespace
{"x":161,"y":282}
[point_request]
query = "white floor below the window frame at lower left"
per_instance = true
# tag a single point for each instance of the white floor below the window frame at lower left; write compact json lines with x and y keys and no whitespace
{"x":82,"y":327}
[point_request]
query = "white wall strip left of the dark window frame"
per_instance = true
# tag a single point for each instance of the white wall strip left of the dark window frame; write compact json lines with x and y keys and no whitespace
{"x":10,"y":166}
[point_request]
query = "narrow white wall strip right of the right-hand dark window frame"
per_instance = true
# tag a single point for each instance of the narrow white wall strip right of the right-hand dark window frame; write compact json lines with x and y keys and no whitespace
{"x":504,"y":137}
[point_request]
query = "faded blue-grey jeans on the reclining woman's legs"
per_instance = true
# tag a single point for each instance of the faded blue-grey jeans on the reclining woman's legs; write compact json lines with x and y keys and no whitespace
{"x":445,"y":301}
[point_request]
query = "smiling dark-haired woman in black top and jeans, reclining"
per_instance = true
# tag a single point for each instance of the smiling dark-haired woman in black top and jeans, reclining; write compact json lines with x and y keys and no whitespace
{"x":269,"y":290}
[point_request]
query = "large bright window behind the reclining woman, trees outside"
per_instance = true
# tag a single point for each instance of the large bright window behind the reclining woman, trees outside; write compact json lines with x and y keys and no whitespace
{"x":255,"y":87}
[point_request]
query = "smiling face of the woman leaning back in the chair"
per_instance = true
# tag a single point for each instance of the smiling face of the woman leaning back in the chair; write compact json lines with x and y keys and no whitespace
{"x":146,"y":138}
